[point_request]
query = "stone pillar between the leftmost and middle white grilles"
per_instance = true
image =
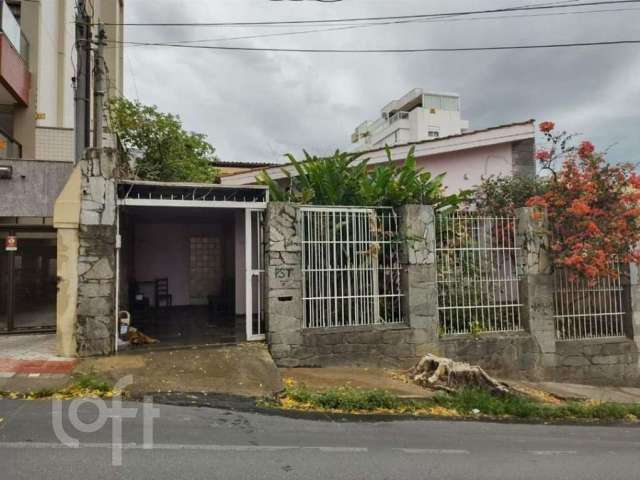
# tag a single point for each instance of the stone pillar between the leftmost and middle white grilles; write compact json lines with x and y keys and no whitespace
{"x":418,"y":258}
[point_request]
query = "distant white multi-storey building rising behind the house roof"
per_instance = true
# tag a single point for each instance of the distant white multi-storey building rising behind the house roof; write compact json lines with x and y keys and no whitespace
{"x":416,"y":116}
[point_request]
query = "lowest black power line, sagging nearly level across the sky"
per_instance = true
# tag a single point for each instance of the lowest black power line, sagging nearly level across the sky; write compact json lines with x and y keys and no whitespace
{"x":389,"y":50}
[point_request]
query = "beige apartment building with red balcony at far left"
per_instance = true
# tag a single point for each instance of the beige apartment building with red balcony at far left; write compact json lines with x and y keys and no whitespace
{"x":37,"y":146}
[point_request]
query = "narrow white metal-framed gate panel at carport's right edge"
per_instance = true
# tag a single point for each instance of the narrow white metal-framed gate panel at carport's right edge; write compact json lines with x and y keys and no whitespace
{"x":254,"y":268}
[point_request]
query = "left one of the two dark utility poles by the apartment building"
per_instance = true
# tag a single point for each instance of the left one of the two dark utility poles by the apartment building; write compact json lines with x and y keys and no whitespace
{"x":82,"y":80}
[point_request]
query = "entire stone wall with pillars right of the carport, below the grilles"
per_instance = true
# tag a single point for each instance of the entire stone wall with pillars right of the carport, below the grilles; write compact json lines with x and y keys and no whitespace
{"x":533,"y":353}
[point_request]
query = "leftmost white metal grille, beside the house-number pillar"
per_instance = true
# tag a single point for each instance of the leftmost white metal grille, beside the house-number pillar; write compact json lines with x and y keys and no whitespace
{"x":350,"y":266}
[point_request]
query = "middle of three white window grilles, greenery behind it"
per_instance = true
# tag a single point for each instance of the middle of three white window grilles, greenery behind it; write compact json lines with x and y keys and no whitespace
{"x":477,"y":274}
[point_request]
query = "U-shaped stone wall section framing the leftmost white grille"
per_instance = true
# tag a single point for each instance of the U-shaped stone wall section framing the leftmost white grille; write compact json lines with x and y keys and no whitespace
{"x":292,"y":345}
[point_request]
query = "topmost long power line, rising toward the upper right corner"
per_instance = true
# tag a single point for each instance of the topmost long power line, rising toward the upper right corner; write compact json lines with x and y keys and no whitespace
{"x":545,"y":6}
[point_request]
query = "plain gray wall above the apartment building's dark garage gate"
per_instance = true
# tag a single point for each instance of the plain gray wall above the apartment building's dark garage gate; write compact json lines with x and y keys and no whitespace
{"x":34,"y":187}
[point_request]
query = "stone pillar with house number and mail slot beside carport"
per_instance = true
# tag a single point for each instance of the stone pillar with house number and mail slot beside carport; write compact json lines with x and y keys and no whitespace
{"x":283,"y":312}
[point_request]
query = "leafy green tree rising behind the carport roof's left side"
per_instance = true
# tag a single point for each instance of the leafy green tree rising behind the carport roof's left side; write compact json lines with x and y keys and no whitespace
{"x":160,"y":148}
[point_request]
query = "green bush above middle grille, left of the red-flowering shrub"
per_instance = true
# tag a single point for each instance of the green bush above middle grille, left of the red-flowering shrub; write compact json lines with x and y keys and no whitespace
{"x":499,"y":196}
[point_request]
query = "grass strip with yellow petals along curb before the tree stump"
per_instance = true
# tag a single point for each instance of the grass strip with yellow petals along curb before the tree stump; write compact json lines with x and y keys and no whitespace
{"x":470,"y":402}
